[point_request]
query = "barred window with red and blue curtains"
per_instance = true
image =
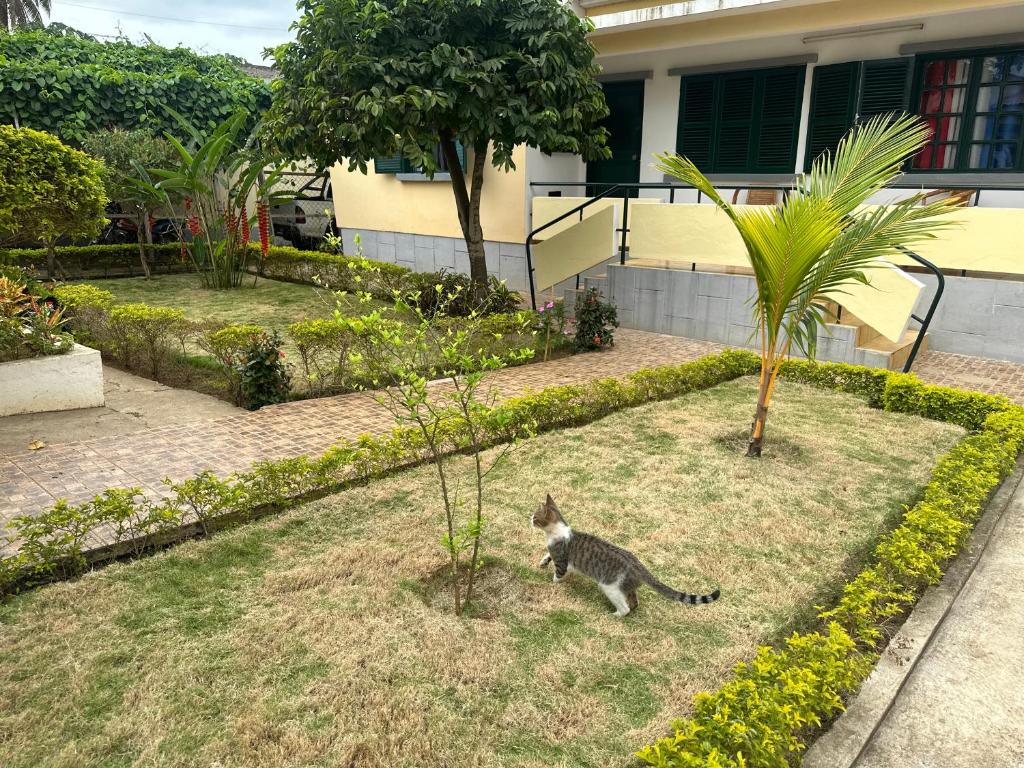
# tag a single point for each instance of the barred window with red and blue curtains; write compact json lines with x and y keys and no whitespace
{"x":975,"y":107}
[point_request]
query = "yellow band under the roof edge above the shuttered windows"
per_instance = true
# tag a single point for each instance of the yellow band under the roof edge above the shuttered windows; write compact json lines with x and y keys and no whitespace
{"x":769,"y":23}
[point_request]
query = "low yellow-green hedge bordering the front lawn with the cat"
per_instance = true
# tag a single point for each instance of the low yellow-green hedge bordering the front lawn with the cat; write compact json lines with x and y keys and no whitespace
{"x":767,"y":713}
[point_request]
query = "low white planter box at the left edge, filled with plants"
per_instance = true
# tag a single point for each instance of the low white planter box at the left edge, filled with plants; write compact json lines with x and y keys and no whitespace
{"x":57,"y":382}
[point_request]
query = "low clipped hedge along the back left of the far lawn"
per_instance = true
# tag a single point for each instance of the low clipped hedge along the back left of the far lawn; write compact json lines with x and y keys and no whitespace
{"x":77,"y":263}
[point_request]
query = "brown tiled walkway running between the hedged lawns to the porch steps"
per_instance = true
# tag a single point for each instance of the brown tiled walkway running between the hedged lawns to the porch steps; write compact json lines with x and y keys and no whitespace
{"x":31,"y":482}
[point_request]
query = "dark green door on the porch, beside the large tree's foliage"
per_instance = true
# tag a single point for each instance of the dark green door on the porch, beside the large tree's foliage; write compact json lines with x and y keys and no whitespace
{"x":625,"y":123}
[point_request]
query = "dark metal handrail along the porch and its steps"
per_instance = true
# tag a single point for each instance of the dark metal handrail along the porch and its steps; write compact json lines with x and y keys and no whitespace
{"x":626,"y":188}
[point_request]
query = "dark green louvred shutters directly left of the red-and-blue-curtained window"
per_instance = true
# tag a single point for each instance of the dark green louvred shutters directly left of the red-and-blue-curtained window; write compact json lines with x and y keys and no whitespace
{"x":846,"y":94}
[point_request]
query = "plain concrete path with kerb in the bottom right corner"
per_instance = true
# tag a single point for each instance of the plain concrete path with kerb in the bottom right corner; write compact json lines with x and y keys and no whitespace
{"x":950,"y":691}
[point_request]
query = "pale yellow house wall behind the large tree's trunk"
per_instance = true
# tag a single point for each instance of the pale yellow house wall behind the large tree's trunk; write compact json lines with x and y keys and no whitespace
{"x":380,"y":202}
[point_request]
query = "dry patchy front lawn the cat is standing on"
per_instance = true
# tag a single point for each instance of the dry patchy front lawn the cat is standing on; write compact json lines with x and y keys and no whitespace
{"x":318,"y":638}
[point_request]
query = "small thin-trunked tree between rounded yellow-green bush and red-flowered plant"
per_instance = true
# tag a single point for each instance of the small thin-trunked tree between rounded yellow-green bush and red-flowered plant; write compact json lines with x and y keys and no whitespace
{"x":124,"y":153}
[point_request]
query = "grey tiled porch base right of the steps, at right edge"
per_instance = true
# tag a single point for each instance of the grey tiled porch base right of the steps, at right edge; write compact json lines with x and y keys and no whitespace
{"x":977,"y":317}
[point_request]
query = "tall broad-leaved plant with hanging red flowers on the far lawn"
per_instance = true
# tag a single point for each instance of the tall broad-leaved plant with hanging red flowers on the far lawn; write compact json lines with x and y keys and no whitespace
{"x":217,"y":180}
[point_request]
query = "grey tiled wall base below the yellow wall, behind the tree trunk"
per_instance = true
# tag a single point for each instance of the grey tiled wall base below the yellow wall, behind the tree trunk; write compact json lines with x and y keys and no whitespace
{"x":426,"y":253}
